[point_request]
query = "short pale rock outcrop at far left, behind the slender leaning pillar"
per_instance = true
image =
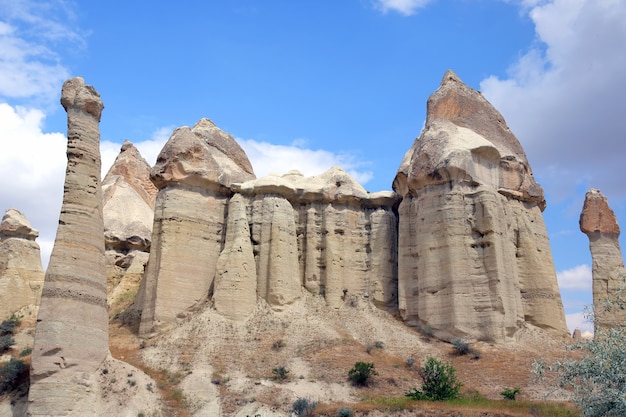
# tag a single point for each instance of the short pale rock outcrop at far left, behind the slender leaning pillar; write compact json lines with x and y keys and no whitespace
{"x":21,"y":272}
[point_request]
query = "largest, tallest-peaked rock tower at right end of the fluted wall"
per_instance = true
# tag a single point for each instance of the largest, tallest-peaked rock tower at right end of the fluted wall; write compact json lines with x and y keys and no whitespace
{"x":474,"y":259}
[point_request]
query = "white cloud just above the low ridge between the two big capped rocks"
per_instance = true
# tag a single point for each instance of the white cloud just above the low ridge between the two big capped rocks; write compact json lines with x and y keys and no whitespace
{"x":267,"y":158}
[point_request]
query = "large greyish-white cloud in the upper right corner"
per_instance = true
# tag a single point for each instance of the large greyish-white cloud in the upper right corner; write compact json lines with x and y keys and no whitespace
{"x":565,"y":97}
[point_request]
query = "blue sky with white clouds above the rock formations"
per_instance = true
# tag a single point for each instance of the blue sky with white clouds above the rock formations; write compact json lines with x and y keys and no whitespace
{"x":312,"y":84}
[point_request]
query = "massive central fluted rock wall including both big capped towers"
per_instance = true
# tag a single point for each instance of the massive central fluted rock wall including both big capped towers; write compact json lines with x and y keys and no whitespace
{"x":460,"y":246}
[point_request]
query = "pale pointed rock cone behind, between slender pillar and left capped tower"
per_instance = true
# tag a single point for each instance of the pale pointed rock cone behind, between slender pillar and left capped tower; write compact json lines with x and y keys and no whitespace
{"x":128,"y":212}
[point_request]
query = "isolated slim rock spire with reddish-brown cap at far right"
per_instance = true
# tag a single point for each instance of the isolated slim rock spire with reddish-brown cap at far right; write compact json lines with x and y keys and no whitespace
{"x":598,"y":222}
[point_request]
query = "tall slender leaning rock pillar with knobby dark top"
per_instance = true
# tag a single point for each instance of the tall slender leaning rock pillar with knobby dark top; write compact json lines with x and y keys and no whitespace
{"x":71,"y":336}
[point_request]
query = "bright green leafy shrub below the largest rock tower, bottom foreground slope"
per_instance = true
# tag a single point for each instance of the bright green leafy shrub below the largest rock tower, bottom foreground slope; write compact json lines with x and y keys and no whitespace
{"x":439,"y":382}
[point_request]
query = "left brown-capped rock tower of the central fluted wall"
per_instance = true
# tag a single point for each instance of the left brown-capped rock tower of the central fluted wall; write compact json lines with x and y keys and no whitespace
{"x":193,"y":173}
